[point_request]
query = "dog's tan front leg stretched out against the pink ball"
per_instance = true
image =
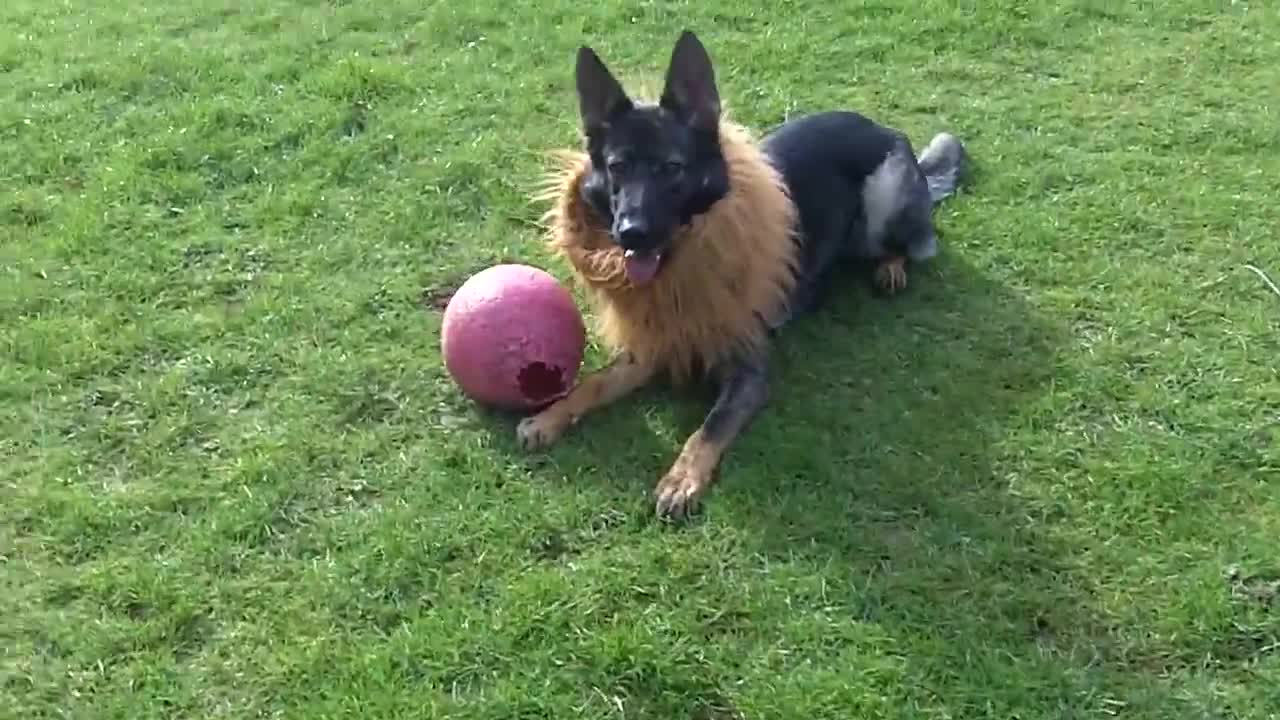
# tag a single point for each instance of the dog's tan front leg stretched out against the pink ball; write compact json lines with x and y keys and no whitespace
{"x":597,"y":390}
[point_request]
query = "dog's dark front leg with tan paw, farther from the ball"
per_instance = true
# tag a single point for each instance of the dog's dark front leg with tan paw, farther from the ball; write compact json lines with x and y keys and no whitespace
{"x":743,"y":394}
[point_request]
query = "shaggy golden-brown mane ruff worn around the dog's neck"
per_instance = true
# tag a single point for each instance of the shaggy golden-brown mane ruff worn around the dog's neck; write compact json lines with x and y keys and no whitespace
{"x":729,"y":275}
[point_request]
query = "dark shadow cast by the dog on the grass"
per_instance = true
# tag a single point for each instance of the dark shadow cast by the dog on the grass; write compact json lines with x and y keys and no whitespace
{"x":889,"y":466}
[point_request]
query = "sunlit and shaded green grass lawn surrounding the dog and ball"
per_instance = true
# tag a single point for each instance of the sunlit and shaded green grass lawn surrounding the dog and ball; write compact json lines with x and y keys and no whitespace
{"x":237,"y":484}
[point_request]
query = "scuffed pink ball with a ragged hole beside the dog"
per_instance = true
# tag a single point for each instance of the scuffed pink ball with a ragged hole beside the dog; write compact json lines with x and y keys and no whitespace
{"x":513,"y":338}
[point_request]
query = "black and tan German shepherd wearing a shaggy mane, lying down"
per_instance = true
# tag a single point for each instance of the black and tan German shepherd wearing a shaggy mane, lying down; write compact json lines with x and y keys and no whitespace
{"x":697,"y":243}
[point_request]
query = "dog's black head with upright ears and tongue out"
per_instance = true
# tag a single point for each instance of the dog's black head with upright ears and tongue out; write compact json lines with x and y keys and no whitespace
{"x":653,"y":167}
